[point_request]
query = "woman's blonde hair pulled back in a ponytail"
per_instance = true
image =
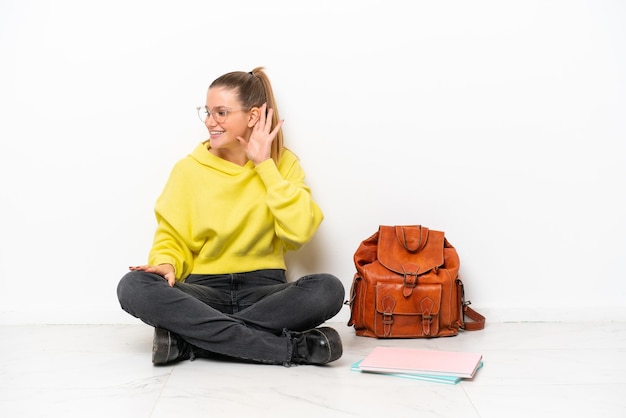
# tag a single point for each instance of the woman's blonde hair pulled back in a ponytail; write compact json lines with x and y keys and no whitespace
{"x":253,"y":89}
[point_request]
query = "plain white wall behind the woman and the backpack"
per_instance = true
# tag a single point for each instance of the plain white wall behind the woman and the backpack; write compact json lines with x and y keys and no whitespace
{"x":498,"y":122}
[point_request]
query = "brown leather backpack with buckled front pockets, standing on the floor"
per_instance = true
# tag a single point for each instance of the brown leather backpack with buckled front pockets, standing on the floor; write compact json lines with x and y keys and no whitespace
{"x":407,"y":286}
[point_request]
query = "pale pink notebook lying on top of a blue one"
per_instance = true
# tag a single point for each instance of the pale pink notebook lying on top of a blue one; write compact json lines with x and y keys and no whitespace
{"x":429,"y":362}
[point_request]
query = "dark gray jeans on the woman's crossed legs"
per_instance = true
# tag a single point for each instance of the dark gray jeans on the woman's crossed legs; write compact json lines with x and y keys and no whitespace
{"x":249,"y":316}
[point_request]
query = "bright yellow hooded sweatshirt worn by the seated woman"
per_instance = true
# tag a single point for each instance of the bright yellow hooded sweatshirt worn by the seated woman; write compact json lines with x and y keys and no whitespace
{"x":217,"y":217}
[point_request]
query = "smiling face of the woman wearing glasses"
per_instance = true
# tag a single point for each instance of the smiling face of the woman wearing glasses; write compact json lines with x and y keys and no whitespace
{"x":227,"y":120}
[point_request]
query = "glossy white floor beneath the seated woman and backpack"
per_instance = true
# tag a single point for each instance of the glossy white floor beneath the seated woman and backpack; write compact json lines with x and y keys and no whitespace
{"x":530,"y":370}
